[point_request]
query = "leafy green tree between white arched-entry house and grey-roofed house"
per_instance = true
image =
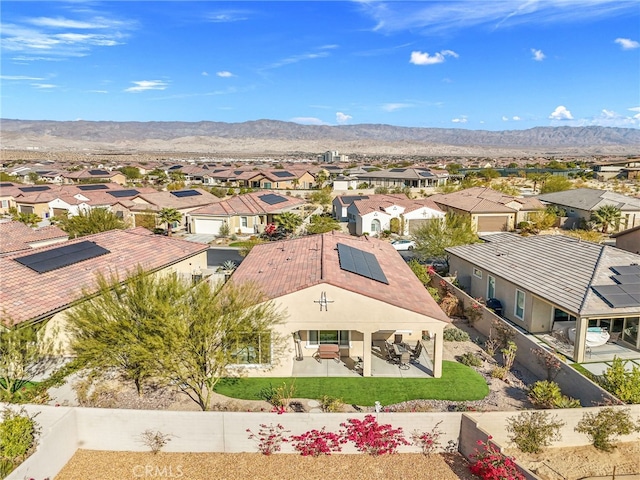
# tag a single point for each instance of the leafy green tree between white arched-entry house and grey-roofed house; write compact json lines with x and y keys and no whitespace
{"x":439,"y":233}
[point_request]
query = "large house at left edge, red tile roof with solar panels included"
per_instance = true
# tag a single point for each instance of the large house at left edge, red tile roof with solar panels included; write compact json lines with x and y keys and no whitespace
{"x":41,"y":284}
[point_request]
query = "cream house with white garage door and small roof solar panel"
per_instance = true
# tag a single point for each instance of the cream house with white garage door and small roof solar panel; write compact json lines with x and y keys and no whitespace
{"x":247,"y":213}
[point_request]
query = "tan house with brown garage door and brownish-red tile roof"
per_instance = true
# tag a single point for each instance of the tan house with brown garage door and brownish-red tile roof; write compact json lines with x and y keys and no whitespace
{"x":489,"y":210}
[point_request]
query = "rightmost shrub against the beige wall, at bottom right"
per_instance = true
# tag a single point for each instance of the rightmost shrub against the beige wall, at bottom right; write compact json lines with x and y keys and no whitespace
{"x":601,"y":427}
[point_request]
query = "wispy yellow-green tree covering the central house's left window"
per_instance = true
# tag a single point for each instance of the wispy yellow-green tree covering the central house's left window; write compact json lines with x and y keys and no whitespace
{"x":217,"y":327}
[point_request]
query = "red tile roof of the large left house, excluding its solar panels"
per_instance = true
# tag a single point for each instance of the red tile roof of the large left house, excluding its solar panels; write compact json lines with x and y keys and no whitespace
{"x":28,"y":295}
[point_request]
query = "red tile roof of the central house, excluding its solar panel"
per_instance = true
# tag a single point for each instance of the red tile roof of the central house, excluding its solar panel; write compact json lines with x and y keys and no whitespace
{"x":287,"y":266}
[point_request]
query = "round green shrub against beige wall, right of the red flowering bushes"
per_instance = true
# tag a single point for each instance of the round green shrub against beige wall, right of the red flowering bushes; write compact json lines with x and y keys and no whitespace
{"x":531,"y":431}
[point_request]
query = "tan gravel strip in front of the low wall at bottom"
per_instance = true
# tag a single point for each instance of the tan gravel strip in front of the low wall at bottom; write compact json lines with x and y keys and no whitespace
{"x":219,"y":466}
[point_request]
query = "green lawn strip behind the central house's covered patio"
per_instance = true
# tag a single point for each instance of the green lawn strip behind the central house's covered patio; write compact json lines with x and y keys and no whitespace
{"x":458,"y":383}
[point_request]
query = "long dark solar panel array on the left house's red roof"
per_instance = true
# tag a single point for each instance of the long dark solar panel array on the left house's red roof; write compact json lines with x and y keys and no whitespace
{"x":60,"y":257}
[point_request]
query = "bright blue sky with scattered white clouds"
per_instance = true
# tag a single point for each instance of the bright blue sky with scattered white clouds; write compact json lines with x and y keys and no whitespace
{"x":476,"y":64}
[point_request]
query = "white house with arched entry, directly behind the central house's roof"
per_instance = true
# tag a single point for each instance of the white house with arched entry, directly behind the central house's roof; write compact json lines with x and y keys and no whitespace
{"x":374,"y":214}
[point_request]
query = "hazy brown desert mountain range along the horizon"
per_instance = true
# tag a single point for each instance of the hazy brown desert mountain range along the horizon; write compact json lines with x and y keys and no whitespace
{"x":272,"y":135}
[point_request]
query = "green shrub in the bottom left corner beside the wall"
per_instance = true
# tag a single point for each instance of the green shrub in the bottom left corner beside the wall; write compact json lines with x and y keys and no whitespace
{"x":18,"y":437}
